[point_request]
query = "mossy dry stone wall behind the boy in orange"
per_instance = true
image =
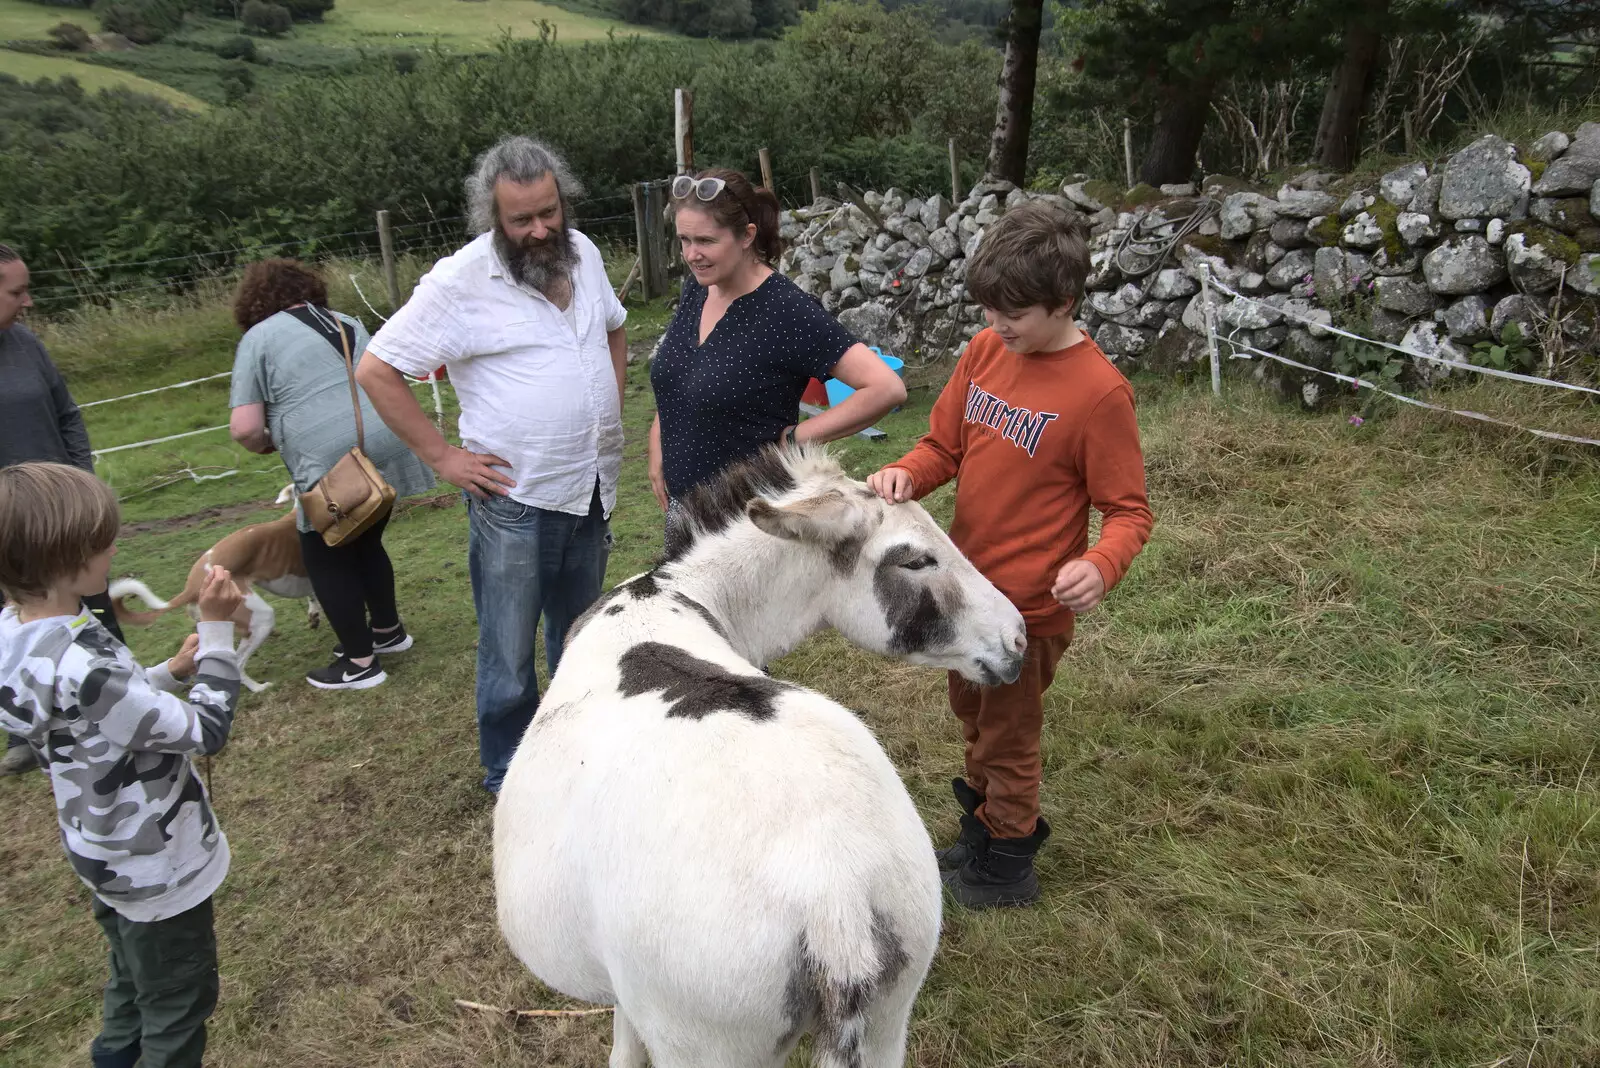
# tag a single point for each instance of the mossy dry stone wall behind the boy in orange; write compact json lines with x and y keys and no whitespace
{"x":1433,"y":258}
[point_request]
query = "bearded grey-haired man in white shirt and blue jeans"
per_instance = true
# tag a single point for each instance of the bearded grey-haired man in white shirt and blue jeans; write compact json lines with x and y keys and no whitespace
{"x":530,"y":332}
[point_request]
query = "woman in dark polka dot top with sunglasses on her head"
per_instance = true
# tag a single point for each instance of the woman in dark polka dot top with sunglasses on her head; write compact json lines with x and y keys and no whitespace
{"x":743,"y":346}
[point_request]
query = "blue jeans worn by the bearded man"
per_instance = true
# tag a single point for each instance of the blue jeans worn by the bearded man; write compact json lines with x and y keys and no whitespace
{"x":526,"y":562}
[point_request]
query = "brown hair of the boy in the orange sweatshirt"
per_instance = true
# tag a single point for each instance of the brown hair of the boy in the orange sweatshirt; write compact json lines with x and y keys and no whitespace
{"x":1038,"y":253}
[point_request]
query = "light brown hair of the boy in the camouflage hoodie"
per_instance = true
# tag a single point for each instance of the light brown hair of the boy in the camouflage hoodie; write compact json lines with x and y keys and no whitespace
{"x":54,"y":519}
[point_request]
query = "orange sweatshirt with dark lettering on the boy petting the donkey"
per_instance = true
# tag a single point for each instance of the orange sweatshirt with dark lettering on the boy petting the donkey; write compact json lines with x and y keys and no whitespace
{"x":1033,"y":442}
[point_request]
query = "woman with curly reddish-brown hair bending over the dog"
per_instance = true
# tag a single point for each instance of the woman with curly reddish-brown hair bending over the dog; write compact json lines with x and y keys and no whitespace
{"x":292,"y":394}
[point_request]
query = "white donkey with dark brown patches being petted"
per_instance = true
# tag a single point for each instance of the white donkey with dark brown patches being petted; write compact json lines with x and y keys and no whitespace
{"x":730,"y":859}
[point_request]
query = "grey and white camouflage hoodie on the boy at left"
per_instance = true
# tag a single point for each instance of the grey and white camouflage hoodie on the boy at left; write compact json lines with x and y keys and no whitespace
{"x":118,"y":741}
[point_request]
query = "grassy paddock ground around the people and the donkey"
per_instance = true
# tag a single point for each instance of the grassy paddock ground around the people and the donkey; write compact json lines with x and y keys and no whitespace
{"x":1322,"y":770}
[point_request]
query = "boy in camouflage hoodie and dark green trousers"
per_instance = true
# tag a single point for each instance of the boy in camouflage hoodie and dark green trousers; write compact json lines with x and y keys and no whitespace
{"x":118,"y":743}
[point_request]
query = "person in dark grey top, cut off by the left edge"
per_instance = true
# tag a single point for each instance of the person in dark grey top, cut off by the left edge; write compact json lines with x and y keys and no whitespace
{"x":39,"y":421}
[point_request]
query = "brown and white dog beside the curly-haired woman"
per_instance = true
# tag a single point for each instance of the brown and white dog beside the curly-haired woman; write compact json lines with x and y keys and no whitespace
{"x":263,"y":556}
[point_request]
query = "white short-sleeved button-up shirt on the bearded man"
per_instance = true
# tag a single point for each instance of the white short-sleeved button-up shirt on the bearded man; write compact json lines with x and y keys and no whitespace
{"x":535,"y":383}
